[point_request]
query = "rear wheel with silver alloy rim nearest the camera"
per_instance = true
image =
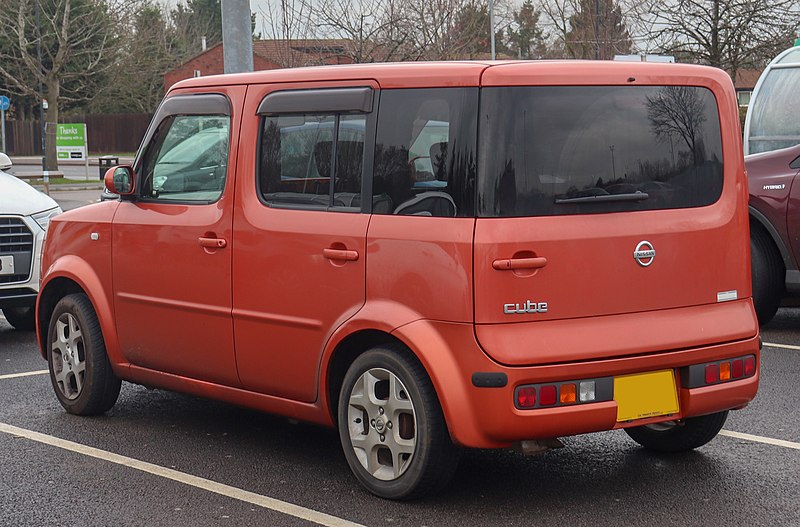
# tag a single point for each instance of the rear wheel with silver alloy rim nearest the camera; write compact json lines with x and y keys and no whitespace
{"x":434,"y":458}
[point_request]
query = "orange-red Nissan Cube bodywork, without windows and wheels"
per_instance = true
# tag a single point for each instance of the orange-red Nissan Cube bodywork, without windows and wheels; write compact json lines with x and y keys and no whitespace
{"x":267,"y":307}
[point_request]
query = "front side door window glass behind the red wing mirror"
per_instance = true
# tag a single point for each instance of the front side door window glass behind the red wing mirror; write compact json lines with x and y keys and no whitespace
{"x":187,"y":159}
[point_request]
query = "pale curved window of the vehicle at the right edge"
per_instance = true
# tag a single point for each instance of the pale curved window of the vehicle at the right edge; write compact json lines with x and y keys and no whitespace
{"x":775,"y":119}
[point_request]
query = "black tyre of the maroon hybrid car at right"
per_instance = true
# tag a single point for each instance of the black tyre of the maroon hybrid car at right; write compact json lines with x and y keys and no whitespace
{"x":768,"y":274}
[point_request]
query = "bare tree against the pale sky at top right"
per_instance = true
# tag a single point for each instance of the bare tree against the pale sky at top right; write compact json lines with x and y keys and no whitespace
{"x":727,"y":34}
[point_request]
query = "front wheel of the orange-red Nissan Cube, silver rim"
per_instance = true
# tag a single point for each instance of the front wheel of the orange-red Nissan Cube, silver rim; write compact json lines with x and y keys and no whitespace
{"x":76,"y":354}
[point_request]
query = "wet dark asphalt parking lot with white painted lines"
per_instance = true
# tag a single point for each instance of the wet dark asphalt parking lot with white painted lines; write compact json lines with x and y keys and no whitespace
{"x":160,"y":458}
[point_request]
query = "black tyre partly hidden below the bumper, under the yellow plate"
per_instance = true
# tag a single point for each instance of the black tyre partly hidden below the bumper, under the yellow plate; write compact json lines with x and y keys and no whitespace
{"x":679,"y":436}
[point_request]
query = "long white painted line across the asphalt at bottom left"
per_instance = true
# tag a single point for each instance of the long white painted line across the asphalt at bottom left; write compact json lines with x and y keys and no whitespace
{"x":266,"y":502}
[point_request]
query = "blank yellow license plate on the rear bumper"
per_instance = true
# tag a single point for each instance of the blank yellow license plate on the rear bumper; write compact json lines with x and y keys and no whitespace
{"x":643,"y":395}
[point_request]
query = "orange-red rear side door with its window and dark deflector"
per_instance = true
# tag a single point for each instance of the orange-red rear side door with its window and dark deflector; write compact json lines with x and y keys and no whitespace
{"x":300,"y":254}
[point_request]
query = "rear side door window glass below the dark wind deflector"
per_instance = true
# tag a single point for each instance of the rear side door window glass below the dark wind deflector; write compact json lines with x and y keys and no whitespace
{"x":296,"y":160}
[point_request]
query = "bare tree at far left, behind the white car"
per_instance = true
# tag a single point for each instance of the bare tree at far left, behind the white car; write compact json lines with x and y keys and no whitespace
{"x":76,"y":41}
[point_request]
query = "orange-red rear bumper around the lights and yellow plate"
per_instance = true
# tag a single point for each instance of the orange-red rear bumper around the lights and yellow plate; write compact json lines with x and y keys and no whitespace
{"x":487,"y":417}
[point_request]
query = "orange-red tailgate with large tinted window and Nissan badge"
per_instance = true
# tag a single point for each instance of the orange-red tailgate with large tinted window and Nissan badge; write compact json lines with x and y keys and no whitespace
{"x":601,"y":201}
